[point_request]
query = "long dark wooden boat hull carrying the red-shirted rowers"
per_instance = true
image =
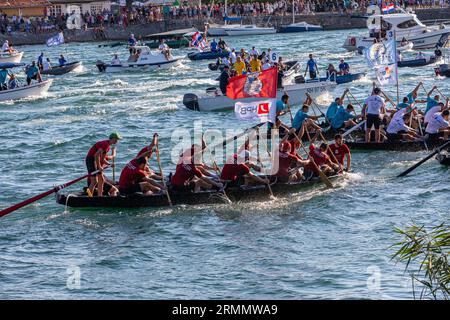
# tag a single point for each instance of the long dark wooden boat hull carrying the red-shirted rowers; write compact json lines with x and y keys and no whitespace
{"x":80,"y":199}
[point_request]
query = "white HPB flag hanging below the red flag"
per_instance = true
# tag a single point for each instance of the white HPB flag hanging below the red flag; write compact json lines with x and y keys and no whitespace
{"x":263,"y":110}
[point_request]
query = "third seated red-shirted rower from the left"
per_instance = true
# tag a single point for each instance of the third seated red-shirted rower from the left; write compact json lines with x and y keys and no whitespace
{"x":236,"y":171}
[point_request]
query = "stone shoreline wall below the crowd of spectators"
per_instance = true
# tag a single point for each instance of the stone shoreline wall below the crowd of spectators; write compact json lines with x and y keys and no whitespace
{"x":328,"y":20}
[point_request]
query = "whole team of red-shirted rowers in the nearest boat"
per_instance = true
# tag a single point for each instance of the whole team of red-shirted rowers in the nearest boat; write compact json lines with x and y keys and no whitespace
{"x":192,"y":175}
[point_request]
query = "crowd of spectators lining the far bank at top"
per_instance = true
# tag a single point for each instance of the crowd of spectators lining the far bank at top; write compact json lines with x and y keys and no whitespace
{"x":149,"y":14}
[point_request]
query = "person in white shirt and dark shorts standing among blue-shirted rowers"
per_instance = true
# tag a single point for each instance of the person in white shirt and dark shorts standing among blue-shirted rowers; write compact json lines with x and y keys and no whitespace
{"x":373,"y":107}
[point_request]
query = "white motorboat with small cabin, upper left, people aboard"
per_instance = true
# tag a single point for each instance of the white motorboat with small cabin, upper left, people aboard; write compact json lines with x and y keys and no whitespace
{"x":144,"y":59}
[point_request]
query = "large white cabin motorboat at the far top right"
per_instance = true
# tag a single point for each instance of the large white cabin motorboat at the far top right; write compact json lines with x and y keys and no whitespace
{"x":403,"y":25}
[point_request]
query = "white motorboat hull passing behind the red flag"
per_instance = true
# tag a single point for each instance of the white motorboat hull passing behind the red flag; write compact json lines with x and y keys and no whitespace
{"x":215,"y":101}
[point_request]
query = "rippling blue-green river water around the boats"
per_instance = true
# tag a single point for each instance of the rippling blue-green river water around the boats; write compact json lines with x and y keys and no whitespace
{"x":313,"y":244}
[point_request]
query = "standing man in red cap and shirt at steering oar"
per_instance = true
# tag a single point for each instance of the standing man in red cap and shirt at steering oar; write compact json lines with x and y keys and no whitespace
{"x":97,"y":159}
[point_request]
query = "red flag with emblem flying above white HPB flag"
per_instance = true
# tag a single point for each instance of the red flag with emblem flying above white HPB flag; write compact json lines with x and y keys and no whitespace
{"x":257,"y":84}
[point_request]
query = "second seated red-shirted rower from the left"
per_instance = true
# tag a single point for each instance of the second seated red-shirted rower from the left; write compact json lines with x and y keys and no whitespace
{"x":188,"y":176}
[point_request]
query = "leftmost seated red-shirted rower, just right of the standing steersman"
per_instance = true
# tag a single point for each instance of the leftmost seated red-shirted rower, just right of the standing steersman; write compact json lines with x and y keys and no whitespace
{"x":133,"y":178}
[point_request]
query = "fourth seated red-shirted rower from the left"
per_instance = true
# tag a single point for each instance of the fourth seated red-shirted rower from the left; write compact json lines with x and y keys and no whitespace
{"x":289,"y":164}
